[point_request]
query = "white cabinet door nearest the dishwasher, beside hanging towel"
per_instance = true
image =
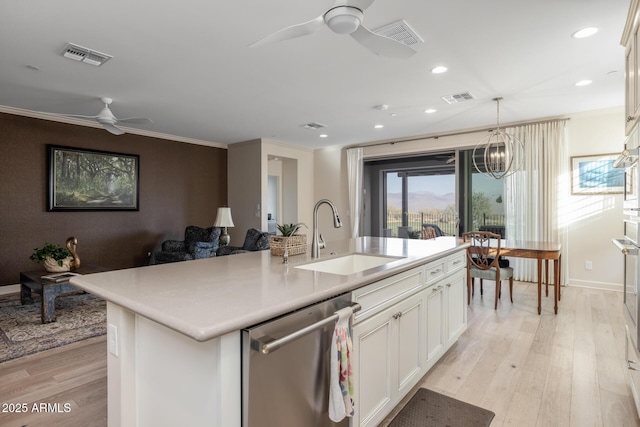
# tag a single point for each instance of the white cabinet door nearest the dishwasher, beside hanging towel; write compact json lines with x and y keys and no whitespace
{"x":372,"y":367}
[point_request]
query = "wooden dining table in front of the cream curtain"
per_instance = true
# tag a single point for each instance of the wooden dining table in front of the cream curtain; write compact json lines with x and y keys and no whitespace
{"x":541,"y":251}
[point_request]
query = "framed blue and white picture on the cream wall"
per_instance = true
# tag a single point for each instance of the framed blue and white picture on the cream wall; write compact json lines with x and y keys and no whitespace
{"x":596,"y":175}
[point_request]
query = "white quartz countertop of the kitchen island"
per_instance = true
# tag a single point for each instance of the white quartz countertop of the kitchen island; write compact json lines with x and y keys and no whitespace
{"x":207,"y":298}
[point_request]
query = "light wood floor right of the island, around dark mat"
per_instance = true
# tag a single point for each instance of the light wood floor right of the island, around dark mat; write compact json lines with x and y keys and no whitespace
{"x":548,"y":370}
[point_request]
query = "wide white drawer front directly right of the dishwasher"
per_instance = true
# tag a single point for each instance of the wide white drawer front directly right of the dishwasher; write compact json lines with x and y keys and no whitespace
{"x":379,"y":295}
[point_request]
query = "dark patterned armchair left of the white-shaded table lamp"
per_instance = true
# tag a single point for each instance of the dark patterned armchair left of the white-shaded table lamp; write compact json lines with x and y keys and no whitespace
{"x":198,"y":243}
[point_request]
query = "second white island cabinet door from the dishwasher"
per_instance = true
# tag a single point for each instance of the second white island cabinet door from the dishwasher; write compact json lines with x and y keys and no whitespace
{"x":409,"y":320}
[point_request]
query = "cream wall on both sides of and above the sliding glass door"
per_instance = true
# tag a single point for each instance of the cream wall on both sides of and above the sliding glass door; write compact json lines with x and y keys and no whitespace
{"x":593,"y":220}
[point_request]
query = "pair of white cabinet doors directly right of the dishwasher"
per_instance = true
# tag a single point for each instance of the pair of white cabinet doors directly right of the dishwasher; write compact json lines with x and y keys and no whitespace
{"x":387,"y":359}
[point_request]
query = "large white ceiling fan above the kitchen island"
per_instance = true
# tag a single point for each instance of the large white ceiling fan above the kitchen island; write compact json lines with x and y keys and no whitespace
{"x":344,"y":17}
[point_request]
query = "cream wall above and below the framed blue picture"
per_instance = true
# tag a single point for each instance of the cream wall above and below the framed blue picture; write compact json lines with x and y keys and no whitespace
{"x":594,"y":220}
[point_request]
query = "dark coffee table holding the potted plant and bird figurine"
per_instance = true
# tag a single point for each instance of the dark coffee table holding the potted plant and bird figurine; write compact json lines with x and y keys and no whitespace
{"x":49,"y":290}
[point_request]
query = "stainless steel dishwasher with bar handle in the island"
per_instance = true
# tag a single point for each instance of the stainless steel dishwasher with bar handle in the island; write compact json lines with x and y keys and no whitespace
{"x":285,"y":368}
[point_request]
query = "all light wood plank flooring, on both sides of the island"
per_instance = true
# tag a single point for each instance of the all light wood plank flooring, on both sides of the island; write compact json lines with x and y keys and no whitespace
{"x":548,"y":370}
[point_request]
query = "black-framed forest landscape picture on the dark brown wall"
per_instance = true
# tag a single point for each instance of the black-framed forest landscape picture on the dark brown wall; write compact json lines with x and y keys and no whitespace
{"x":91,"y":180}
